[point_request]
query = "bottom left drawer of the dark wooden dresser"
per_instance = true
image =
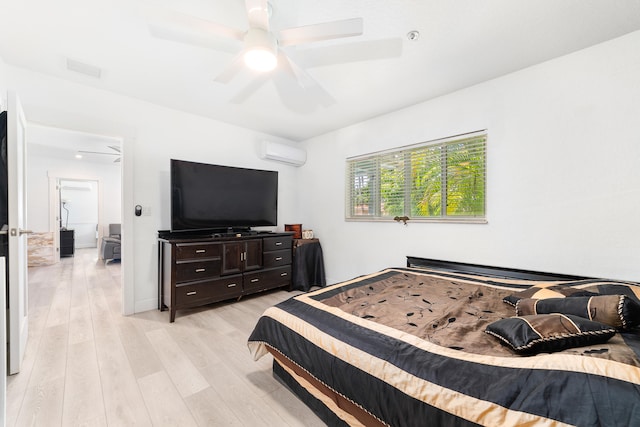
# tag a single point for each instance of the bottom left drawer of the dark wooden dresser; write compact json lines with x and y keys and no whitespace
{"x":208,"y":291}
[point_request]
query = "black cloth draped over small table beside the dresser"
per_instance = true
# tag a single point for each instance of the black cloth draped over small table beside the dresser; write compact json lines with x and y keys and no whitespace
{"x":308,"y":264}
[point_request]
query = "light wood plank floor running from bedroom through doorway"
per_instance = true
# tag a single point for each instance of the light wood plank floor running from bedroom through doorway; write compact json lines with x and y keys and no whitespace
{"x":86,"y":364}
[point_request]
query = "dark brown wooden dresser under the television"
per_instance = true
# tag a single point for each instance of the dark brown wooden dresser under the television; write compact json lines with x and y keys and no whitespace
{"x":198,"y":270}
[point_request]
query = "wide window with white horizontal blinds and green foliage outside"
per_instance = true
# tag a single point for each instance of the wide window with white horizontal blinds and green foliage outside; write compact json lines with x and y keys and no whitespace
{"x":441,"y":180}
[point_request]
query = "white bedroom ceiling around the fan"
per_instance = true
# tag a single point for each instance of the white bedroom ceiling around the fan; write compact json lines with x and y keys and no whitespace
{"x":462,"y":42}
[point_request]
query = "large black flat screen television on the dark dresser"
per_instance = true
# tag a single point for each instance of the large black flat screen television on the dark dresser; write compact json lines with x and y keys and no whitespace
{"x":206,"y":197}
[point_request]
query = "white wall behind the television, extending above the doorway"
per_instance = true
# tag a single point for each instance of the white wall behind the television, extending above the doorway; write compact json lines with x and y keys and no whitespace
{"x":151,"y":136}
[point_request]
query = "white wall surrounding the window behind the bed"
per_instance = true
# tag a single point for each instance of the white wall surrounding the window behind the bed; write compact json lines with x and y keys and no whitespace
{"x":563,"y":172}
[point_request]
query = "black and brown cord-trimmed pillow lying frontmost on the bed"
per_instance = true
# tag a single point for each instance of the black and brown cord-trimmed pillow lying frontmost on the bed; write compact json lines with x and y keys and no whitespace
{"x":548,"y":332}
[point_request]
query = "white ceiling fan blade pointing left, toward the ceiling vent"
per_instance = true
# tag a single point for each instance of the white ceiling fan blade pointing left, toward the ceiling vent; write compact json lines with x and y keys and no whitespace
{"x":175,"y":26}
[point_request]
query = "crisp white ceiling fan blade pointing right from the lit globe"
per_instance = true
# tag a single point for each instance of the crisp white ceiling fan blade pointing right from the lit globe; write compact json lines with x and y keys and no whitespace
{"x":318,"y":32}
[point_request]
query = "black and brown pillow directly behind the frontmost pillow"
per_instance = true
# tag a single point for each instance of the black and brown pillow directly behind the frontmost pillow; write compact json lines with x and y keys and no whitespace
{"x":618,"y":311}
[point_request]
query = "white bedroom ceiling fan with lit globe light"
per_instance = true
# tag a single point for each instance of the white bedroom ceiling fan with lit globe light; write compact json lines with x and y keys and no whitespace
{"x":262,"y":49}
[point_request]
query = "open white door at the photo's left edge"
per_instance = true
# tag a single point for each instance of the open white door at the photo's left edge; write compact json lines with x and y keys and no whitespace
{"x":17,"y":262}
